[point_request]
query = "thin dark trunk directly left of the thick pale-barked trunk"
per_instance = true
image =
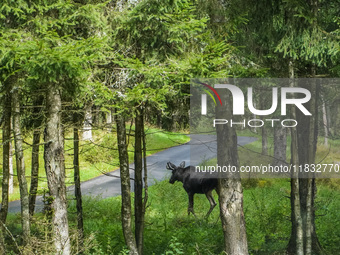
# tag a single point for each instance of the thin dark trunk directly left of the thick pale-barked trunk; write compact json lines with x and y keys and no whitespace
{"x":34,"y":171}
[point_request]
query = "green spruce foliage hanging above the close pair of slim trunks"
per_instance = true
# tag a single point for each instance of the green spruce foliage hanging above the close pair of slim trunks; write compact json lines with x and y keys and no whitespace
{"x":147,"y":36}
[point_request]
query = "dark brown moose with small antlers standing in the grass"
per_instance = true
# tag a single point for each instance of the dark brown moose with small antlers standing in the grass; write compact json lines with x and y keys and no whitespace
{"x":193,"y":183}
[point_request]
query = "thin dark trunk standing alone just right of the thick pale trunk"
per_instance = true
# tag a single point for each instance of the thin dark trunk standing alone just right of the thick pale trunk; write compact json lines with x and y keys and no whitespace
{"x":77,"y":188}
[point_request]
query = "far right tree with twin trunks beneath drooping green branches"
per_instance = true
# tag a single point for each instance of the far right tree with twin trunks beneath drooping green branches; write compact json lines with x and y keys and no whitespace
{"x":303,"y":42}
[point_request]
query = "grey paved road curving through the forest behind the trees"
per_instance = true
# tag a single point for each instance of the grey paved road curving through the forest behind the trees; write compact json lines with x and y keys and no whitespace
{"x":108,"y":185}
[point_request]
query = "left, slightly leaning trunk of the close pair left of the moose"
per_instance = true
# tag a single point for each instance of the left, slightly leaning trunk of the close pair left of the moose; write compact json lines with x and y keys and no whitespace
{"x":125,"y":185}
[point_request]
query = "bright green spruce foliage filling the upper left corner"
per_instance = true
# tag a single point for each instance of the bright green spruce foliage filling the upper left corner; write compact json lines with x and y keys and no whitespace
{"x":53,"y":42}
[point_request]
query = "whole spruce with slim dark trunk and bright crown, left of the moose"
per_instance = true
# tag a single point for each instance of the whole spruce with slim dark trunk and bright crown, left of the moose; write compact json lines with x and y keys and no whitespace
{"x":149,"y":33}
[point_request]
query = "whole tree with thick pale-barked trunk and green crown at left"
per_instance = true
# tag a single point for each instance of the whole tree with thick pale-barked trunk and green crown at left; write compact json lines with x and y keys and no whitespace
{"x":59,"y":65}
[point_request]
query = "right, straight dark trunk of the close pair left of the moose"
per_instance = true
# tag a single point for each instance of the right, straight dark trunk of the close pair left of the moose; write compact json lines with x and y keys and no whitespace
{"x":139,"y":208}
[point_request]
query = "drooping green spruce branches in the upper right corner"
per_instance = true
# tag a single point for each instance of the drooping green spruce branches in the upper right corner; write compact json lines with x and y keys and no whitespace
{"x":305,"y":35}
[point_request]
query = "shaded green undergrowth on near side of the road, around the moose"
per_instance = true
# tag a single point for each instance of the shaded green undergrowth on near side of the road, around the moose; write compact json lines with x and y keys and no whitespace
{"x":169,"y":229}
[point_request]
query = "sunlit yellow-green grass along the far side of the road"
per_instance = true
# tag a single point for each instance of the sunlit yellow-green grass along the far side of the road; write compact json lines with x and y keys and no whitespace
{"x":96,"y":157}
